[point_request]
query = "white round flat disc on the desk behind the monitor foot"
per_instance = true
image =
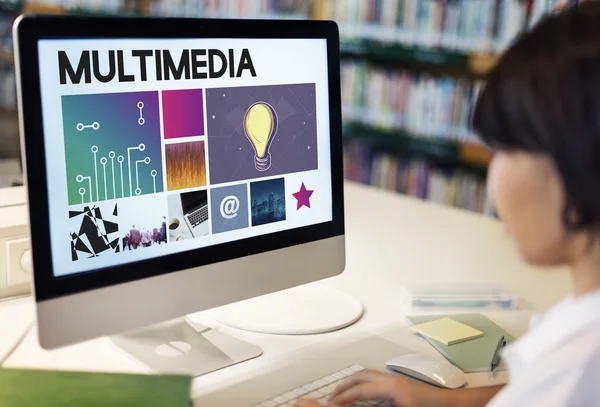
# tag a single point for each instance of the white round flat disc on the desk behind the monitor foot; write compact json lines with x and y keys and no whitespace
{"x":304,"y":310}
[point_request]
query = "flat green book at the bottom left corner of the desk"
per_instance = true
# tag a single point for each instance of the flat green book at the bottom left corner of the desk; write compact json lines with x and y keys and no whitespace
{"x":31,"y":388}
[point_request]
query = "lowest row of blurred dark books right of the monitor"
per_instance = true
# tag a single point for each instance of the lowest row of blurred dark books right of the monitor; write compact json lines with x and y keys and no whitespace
{"x":415,"y":177}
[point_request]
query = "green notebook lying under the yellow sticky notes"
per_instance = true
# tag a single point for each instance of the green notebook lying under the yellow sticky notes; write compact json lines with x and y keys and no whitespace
{"x":474,"y":355}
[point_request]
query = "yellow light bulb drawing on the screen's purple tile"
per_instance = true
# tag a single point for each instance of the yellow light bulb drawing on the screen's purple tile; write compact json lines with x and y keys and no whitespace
{"x":260,"y":126}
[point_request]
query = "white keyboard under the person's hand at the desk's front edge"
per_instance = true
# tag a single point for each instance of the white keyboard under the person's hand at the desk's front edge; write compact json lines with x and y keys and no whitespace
{"x":320,"y":389}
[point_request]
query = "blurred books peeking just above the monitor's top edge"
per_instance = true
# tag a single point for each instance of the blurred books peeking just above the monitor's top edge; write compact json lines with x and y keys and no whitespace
{"x":281,"y":9}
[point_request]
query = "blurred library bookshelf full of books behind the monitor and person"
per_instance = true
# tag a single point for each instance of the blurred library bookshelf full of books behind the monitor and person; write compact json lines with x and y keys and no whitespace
{"x":411,"y":72}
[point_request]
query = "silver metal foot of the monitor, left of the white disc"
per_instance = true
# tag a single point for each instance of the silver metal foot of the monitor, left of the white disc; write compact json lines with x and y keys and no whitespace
{"x":179,"y":347}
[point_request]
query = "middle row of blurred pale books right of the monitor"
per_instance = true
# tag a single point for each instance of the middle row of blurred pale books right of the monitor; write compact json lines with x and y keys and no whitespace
{"x":420,"y":104}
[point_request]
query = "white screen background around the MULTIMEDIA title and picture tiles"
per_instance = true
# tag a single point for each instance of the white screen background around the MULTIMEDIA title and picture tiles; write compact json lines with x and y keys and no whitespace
{"x":277,"y":62}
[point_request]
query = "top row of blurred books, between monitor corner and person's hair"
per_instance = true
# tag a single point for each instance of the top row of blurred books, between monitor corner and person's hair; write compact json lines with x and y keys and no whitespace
{"x":466,"y":25}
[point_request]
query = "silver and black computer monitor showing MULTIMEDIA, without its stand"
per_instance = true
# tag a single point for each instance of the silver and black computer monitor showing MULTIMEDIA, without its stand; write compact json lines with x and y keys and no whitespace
{"x":176,"y":165}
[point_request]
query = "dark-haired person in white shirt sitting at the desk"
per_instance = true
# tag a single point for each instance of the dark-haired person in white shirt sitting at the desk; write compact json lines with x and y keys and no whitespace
{"x":540,"y":112}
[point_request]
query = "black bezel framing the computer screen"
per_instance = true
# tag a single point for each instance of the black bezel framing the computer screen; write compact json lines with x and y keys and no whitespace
{"x":30,"y":29}
